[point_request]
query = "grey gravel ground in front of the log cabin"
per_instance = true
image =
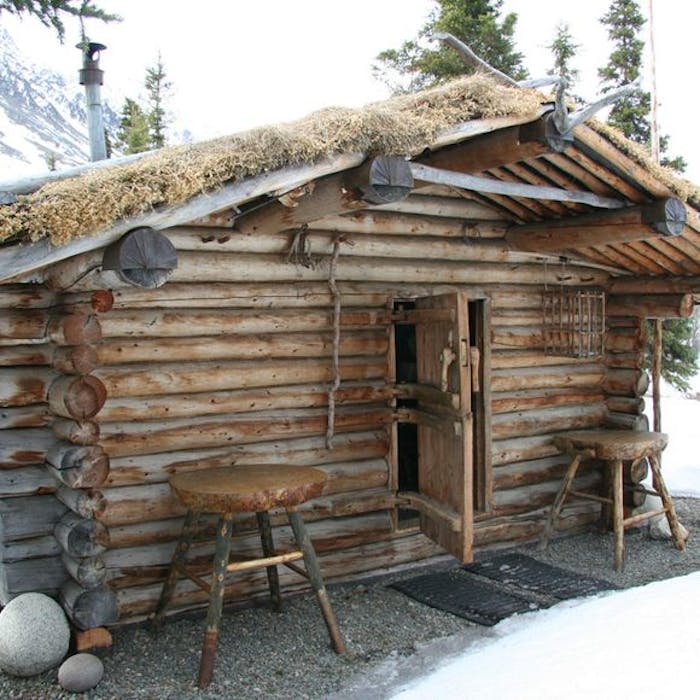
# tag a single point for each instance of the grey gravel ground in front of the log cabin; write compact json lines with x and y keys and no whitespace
{"x":287,"y":655}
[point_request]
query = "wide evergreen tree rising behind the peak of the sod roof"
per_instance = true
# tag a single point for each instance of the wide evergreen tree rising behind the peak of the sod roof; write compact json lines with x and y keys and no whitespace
{"x":475,"y":22}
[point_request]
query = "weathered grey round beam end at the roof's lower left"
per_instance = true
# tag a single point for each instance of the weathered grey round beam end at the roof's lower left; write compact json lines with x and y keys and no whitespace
{"x":143,"y":257}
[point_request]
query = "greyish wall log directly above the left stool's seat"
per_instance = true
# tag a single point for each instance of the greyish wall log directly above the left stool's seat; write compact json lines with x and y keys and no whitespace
{"x":305,"y":451}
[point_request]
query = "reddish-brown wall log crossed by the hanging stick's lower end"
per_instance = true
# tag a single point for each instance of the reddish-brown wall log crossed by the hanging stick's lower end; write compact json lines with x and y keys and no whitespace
{"x":119,"y":440}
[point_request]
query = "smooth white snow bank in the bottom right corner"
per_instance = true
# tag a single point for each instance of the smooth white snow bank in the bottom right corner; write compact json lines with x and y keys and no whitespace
{"x":583,"y":649}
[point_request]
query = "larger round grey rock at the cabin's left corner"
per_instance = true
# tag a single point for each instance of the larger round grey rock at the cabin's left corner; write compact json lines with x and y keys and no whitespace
{"x":34,"y":635}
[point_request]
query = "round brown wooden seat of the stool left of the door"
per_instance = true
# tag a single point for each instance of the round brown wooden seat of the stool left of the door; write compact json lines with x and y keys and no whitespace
{"x":251,"y":488}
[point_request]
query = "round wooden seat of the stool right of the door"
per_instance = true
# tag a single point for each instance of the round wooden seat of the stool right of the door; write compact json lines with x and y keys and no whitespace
{"x":613,"y":444}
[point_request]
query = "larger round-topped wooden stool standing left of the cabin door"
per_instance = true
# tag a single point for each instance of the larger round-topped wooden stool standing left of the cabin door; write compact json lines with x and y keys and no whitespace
{"x":256,"y":489}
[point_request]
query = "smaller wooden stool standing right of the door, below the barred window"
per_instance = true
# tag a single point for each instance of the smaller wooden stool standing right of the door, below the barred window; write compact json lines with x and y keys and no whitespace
{"x":614,"y":447}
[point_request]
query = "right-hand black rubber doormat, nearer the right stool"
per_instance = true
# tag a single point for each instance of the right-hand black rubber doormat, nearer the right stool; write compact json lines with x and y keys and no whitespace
{"x":528,"y":574}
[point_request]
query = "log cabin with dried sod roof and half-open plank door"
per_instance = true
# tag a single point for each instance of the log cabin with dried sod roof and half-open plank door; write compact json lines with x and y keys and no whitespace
{"x":415,"y":297}
